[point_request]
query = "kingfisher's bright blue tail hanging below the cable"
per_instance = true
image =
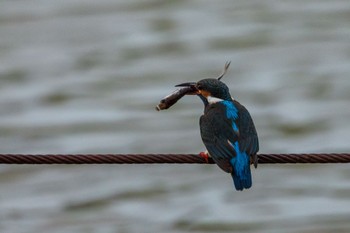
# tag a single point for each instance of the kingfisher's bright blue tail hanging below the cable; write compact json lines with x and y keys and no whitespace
{"x":242,"y":177}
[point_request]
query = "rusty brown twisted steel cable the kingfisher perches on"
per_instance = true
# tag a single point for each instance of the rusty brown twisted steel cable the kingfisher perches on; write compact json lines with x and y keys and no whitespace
{"x":162,"y":158}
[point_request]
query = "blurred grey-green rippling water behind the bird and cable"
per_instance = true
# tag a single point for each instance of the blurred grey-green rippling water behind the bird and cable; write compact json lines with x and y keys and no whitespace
{"x":84,"y":77}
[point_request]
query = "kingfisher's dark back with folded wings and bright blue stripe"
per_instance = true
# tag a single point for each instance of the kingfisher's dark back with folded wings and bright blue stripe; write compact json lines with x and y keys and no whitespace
{"x":225,"y":126}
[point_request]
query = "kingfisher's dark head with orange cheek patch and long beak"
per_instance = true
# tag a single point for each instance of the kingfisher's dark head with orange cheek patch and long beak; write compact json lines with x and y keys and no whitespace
{"x":209,"y":87}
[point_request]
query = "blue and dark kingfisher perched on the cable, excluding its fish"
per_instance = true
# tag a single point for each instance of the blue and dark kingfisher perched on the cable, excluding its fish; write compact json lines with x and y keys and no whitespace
{"x":227,"y":131}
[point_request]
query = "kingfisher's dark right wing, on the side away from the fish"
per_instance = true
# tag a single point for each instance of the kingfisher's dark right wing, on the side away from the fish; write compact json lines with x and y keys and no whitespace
{"x":248,"y":137}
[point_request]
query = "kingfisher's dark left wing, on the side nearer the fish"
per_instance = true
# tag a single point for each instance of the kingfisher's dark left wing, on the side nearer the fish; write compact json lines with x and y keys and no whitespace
{"x":218,"y":135}
